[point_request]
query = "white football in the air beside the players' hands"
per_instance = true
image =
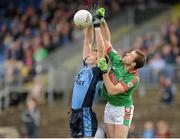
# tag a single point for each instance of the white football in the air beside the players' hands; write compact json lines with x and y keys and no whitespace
{"x":82,"y":19}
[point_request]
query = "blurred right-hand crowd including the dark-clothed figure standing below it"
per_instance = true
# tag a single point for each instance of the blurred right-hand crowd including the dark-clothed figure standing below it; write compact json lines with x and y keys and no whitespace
{"x":163,"y":58}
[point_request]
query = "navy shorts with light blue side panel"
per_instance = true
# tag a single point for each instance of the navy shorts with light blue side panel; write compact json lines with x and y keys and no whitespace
{"x":83,"y":123}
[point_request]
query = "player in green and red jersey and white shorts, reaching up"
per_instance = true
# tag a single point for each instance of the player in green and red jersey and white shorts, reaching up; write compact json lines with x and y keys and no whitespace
{"x":119,"y":84}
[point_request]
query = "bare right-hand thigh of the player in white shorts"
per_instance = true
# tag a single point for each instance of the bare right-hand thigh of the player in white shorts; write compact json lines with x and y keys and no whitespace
{"x":121,"y":131}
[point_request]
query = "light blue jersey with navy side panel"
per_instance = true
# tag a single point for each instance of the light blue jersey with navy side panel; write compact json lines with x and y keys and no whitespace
{"x":87,"y":85}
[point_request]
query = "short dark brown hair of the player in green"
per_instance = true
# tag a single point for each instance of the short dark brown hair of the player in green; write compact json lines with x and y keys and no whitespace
{"x":140,"y":59}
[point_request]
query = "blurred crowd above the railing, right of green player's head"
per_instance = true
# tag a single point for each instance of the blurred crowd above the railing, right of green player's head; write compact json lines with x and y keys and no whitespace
{"x":163,"y":47}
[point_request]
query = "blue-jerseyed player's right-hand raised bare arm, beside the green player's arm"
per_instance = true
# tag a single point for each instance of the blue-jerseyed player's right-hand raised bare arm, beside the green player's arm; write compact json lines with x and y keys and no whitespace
{"x":100,"y":43}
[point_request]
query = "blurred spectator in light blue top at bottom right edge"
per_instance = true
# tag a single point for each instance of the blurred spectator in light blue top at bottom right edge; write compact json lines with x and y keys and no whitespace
{"x":149,"y":131}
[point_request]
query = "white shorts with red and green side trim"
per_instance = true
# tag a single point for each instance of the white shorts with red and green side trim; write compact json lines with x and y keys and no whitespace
{"x":118,"y":114}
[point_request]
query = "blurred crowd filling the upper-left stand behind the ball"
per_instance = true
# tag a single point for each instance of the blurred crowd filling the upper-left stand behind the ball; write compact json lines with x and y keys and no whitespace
{"x":31,"y":29}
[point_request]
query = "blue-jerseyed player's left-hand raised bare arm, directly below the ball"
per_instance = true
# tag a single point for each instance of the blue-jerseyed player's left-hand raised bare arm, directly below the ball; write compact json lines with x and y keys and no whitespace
{"x":88,"y":40}
